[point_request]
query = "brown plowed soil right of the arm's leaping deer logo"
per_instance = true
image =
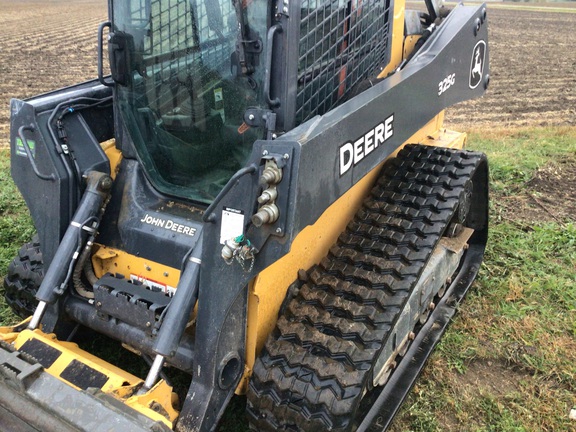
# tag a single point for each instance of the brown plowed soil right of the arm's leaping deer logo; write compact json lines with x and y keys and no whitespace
{"x":532,"y":70}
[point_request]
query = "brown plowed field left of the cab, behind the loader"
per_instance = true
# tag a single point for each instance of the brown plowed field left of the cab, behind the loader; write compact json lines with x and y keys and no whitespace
{"x":45,"y":45}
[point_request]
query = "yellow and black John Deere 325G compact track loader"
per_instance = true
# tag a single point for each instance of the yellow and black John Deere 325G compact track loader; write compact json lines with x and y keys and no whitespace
{"x":262,"y":195}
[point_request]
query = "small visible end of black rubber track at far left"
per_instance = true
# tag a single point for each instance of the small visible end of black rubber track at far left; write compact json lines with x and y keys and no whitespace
{"x":24,"y":276}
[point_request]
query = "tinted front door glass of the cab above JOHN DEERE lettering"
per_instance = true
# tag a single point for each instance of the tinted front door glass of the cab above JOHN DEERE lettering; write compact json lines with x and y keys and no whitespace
{"x":184,"y":104}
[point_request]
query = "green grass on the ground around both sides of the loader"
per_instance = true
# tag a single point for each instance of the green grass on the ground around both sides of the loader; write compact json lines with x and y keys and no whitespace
{"x":508,"y":362}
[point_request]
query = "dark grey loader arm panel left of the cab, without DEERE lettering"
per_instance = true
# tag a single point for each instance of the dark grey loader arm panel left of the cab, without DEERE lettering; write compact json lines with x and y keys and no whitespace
{"x":52,"y":197}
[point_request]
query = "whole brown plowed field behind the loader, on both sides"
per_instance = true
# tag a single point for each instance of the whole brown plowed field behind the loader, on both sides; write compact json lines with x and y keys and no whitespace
{"x":48,"y":44}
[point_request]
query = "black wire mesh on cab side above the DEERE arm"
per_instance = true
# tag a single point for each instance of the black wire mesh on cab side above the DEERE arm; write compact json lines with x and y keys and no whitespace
{"x":341,"y":44}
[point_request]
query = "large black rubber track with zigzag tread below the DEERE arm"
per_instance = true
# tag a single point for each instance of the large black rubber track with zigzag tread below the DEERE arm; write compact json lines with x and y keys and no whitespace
{"x":317,"y":364}
